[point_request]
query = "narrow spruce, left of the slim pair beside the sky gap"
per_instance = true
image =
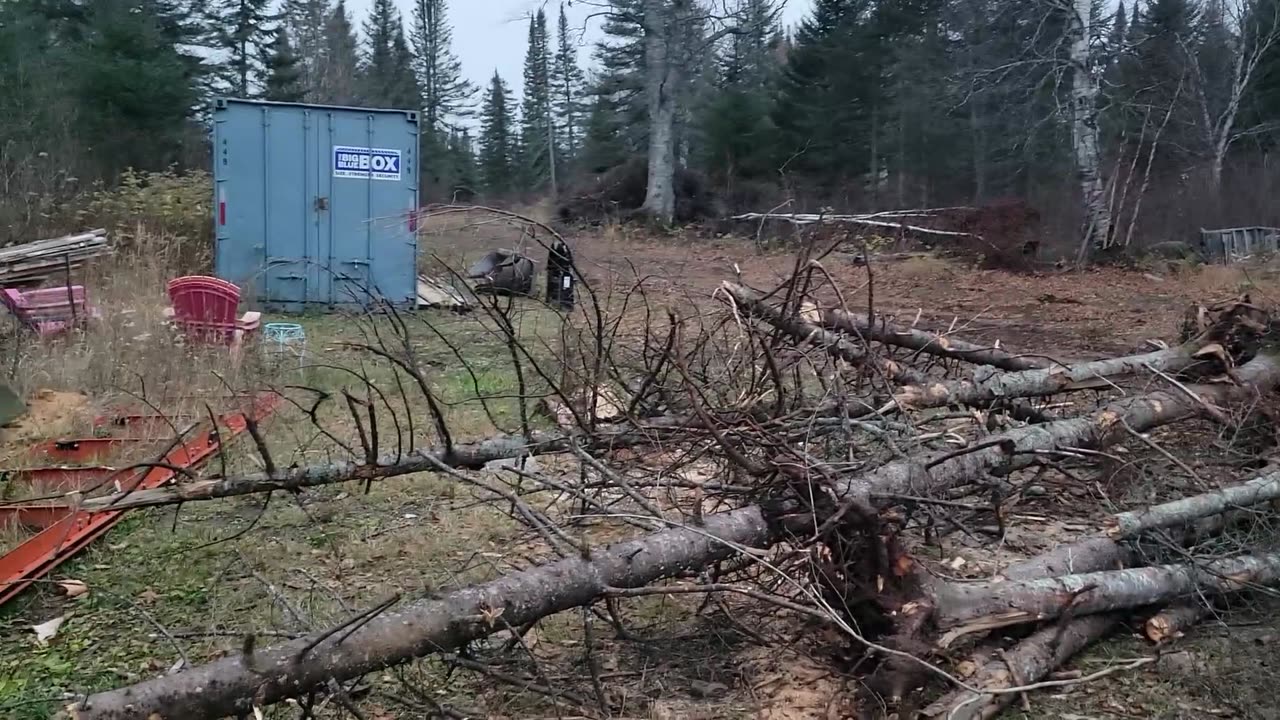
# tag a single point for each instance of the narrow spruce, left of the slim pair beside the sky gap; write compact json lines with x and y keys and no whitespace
{"x":537,"y":130}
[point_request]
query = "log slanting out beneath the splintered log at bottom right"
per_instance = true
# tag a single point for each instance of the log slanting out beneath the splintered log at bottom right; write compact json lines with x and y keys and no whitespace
{"x":1028,"y":663}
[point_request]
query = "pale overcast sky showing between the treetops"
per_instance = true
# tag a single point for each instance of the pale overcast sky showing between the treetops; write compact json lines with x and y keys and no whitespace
{"x":492,"y":35}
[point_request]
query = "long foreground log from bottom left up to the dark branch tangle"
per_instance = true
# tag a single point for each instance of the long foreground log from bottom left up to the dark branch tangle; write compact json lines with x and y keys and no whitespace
{"x":235,"y":685}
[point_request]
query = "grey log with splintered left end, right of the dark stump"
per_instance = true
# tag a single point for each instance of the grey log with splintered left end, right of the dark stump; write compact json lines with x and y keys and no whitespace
{"x":967,"y":609}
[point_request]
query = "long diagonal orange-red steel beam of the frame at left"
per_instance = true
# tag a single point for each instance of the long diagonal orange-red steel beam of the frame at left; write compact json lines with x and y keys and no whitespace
{"x":67,"y":536}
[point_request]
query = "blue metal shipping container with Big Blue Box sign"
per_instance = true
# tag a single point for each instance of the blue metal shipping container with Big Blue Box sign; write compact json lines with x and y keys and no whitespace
{"x":317,"y":206}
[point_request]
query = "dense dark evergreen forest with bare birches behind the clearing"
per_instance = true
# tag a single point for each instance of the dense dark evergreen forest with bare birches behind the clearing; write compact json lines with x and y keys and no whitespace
{"x":1126,"y":122}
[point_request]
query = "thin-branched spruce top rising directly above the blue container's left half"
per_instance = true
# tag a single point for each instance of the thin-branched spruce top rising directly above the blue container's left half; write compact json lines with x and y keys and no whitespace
{"x":245,"y":31}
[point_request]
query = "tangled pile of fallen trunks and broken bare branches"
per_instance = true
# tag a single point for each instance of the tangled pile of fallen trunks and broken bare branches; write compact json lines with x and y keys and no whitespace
{"x":828,"y":423}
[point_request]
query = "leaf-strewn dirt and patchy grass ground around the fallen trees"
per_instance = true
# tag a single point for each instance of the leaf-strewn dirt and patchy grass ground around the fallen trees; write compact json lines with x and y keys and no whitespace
{"x":212,"y":573}
